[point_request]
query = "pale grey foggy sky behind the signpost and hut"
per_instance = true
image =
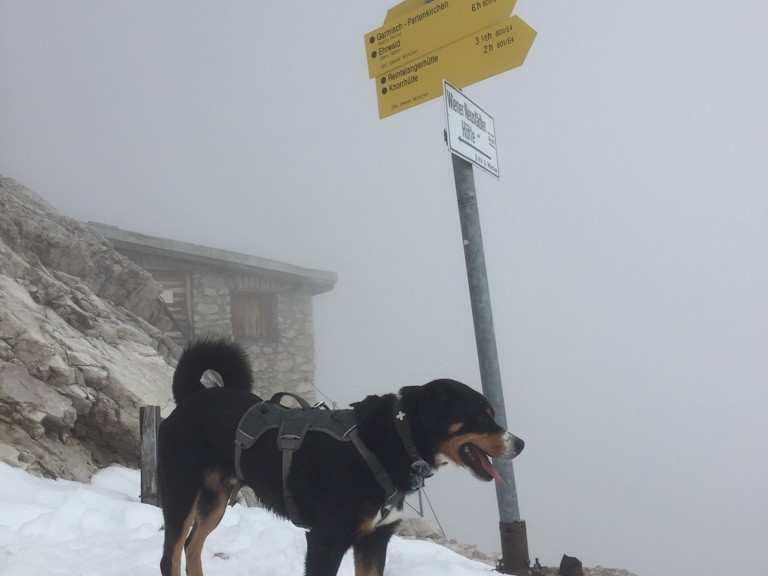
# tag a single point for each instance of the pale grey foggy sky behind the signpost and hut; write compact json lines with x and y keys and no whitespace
{"x":626,"y":239}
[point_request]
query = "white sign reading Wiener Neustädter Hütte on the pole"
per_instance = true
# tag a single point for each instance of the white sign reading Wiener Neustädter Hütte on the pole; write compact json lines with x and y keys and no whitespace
{"x":471,"y":130}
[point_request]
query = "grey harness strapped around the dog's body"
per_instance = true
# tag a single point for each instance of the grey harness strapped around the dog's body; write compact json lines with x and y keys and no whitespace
{"x":292,"y":426}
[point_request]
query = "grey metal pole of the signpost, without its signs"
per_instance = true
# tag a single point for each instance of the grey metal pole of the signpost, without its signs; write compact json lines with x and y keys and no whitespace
{"x":514,"y":541}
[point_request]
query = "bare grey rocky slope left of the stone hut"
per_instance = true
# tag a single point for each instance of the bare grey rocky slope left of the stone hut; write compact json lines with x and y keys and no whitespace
{"x":82,"y":343}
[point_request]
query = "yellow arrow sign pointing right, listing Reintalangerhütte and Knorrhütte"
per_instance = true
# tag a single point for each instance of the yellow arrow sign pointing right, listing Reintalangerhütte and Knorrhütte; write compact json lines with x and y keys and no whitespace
{"x":487,"y":52}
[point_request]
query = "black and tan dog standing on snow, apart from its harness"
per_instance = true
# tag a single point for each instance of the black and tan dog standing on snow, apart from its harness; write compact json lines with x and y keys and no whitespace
{"x":334,"y":489}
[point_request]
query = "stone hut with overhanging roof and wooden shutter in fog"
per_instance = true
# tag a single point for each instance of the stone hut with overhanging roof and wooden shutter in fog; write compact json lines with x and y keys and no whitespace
{"x":263,"y":304}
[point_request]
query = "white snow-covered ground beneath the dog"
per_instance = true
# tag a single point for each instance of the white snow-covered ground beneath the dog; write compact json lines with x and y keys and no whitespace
{"x":62,"y":527}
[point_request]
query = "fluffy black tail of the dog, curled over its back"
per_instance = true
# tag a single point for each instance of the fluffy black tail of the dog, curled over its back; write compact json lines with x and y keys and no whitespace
{"x":223,"y":356}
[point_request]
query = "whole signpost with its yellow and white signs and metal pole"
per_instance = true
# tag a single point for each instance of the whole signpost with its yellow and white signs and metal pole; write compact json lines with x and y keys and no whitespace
{"x":411,"y":57}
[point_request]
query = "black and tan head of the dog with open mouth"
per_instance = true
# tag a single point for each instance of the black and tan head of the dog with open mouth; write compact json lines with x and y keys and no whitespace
{"x":455,"y":423}
